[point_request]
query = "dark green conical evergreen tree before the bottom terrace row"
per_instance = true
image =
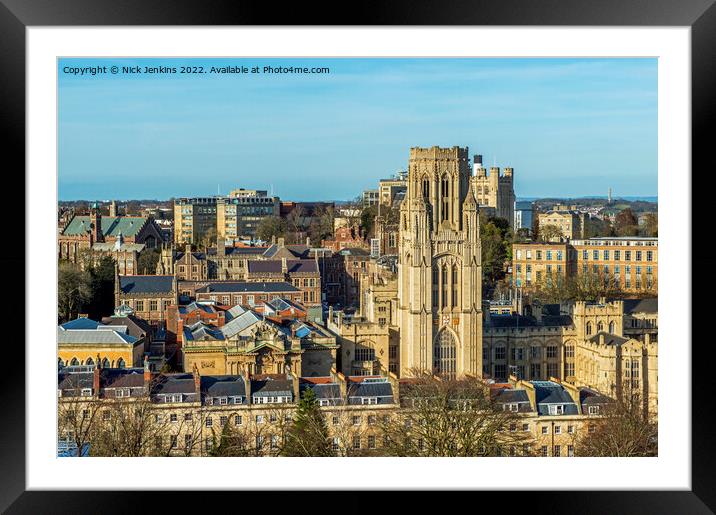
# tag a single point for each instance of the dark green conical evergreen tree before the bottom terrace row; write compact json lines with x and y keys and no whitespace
{"x":308,"y":434}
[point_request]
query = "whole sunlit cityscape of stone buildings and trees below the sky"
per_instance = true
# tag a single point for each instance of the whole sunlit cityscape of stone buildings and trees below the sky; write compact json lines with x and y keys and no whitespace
{"x":438,"y":313}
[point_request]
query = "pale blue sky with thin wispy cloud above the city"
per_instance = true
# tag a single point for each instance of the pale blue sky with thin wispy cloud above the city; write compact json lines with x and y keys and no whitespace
{"x":569,"y":127}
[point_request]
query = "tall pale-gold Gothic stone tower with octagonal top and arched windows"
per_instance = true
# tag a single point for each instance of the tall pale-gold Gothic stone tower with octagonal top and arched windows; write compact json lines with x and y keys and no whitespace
{"x":439,"y":267}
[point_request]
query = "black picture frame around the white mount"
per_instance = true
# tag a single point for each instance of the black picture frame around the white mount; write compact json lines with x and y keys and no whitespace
{"x":16,"y":15}
